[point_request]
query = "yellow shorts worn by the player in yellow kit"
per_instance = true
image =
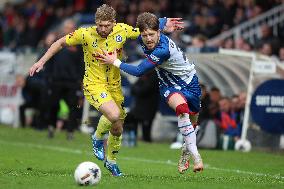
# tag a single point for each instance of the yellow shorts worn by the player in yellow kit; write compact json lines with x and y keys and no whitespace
{"x":100,"y":94}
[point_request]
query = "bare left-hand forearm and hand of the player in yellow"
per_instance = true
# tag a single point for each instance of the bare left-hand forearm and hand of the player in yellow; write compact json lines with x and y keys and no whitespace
{"x":53,"y":49}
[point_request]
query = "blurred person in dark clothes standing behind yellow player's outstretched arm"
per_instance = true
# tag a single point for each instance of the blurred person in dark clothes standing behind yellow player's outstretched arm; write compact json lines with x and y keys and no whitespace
{"x":65,"y":83}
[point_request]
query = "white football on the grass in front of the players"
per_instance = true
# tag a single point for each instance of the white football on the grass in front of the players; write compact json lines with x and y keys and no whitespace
{"x":87,"y":173}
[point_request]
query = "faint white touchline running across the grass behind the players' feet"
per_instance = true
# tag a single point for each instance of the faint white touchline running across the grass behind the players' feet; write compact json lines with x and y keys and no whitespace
{"x":168,"y":162}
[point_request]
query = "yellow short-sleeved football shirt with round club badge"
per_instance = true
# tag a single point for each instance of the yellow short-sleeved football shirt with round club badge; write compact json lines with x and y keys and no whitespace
{"x":92,"y":43}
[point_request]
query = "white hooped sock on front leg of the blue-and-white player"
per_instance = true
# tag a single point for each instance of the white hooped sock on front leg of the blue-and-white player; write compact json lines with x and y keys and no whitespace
{"x":187,"y":131}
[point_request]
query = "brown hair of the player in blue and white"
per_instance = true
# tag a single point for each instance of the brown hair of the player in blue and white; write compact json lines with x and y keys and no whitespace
{"x":146,"y":21}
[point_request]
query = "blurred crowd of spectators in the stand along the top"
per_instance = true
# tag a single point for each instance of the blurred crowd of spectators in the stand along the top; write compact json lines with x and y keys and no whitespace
{"x":26,"y":23}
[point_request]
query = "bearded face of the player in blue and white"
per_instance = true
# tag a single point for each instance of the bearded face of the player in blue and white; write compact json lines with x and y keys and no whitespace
{"x":150,"y":38}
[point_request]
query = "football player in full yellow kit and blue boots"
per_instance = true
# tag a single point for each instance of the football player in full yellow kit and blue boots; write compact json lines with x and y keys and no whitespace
{"x":102,"y":83}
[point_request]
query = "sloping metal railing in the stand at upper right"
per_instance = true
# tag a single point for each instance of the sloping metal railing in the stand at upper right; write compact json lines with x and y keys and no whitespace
{"x":249,"y":30}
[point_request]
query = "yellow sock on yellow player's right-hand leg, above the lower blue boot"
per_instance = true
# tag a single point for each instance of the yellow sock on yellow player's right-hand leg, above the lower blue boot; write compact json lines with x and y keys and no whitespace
{"x":114,"y":144}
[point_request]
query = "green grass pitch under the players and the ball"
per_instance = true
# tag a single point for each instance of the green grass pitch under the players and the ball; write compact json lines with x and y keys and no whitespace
{"x":28,"y":159}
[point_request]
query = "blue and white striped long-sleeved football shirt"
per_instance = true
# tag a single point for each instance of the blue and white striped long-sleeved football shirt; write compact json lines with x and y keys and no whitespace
{"x":171,"y":64}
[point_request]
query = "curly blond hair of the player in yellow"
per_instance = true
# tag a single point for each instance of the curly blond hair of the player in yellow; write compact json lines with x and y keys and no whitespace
{"x":105,"y":13}
